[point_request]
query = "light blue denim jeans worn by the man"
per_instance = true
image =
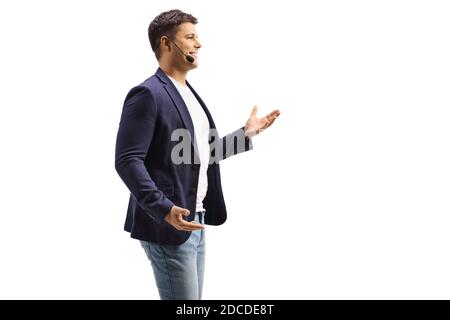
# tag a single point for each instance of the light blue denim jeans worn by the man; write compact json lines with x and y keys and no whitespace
{"x":179,"y":269}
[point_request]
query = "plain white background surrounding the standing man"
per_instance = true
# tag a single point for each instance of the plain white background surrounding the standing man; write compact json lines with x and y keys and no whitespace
{"x":346,"y":196}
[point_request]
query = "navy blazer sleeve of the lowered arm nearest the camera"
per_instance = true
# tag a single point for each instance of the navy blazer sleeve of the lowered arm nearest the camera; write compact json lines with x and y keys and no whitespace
{"x":136,"y":129}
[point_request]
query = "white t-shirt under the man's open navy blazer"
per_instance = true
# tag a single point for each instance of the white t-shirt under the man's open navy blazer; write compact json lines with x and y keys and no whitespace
{"x":201,"y":129}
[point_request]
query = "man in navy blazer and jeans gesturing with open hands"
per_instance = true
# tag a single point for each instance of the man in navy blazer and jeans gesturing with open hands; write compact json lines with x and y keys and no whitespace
{"x":171,"y":200}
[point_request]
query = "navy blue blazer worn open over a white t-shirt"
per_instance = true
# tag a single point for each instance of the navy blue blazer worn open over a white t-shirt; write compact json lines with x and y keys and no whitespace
{"x":151,"y":112}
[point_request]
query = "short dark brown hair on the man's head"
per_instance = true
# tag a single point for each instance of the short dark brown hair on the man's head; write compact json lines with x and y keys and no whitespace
{"x":165,"y":24}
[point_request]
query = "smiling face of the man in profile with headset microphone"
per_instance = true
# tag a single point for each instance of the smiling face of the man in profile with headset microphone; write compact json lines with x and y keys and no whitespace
{"x":187,"y":40}
